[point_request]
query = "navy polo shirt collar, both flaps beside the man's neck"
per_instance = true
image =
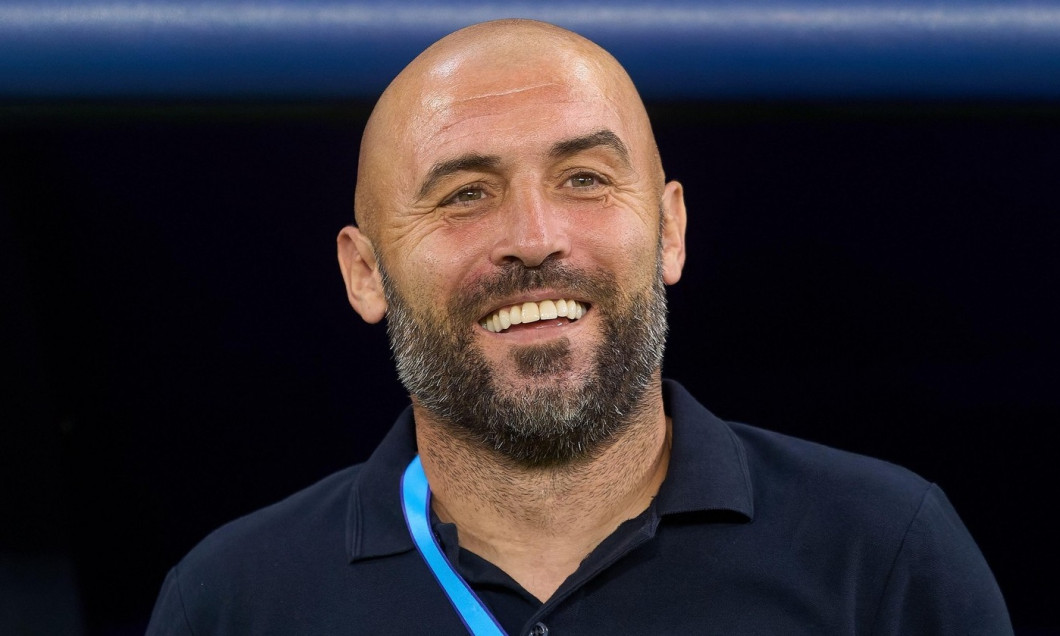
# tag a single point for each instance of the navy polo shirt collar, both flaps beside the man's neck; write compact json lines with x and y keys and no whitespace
{"x":708,"y":472}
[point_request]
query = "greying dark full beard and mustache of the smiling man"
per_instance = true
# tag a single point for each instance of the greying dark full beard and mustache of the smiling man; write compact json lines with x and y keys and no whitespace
{"x":555,"y":416}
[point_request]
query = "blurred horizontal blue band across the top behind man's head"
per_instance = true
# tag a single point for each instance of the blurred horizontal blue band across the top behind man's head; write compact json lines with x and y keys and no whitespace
{"x":675,"y":50}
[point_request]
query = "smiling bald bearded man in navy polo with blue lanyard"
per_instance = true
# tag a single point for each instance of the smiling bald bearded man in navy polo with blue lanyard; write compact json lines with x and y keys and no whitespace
{"x":516,"y":229}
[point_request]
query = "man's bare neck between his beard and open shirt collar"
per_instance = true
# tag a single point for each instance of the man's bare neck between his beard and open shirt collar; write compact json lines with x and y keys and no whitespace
{"x":539,"y":524}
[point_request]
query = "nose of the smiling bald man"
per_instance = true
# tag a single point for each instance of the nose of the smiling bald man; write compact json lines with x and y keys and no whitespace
{"x":533,"y":231}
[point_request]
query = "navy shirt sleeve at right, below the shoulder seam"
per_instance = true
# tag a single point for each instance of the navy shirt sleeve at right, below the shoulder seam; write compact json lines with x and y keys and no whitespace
{"x":941,"y":585}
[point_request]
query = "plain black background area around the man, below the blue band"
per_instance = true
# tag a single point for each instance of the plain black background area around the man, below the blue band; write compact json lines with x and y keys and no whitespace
{"x":179,"y":351}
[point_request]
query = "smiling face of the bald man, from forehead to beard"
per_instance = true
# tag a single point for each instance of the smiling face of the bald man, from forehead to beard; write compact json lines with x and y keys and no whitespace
{"x":516,"y":192}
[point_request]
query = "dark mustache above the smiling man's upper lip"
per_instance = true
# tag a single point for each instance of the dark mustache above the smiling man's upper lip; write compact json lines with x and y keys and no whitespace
{"x":515,"y":278}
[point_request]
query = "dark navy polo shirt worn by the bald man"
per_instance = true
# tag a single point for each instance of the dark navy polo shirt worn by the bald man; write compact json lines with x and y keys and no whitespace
{"x":752,"y":533}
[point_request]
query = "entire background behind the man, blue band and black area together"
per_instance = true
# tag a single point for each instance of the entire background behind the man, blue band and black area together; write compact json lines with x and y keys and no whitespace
{"x":873,"y":261}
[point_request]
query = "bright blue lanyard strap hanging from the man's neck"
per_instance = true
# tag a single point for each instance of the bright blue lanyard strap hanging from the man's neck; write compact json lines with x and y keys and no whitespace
{"x":416,"y":502}
